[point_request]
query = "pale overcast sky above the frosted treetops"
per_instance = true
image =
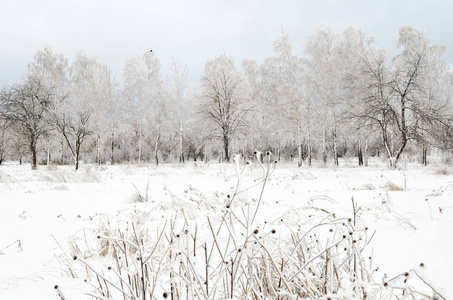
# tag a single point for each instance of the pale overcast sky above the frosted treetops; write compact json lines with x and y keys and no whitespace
{"x":196,"y":31}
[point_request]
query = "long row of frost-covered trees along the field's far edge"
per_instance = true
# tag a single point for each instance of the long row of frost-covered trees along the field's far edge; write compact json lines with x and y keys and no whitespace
{"x":342,"y":97}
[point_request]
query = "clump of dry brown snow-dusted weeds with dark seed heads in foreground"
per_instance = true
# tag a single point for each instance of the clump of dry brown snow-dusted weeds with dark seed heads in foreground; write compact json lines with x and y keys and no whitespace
{"x":233,"y":254}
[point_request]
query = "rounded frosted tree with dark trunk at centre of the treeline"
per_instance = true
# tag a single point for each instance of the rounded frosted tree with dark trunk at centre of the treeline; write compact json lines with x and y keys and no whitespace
{"x":225,"y":101}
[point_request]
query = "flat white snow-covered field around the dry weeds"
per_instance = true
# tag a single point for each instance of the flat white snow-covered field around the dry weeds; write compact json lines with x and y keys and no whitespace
{"x":49,"y":215}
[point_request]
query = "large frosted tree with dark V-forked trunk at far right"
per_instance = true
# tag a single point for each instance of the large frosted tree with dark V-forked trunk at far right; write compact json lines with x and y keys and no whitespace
{"x":402,"y":98}
